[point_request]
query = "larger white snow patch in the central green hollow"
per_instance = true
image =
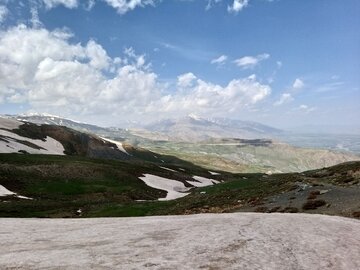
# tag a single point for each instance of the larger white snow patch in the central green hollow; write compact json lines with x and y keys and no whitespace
{"x":175,"y":189}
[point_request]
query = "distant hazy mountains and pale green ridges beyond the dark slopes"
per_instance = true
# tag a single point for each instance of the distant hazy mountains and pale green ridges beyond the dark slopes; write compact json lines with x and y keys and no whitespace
{"x":220,"y":144}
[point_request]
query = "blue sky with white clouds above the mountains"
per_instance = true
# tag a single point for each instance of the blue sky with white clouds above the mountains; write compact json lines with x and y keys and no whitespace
{"x":284,"y":63}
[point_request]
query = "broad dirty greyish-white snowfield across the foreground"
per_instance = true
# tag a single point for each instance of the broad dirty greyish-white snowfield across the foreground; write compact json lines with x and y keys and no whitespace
{"x":211,"y":241}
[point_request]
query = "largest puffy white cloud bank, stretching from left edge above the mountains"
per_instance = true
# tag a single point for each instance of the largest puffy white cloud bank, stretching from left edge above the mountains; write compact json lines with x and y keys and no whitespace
{"x":50,"y":73}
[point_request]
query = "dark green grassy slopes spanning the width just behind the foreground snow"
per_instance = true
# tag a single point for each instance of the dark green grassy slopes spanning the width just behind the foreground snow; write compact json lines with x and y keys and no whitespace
{"x":62,"y":185}
